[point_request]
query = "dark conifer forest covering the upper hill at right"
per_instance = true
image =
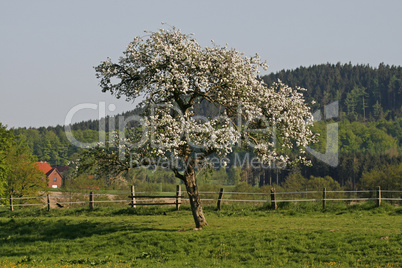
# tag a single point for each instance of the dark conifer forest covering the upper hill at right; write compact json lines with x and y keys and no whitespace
{"x":364,"y":92}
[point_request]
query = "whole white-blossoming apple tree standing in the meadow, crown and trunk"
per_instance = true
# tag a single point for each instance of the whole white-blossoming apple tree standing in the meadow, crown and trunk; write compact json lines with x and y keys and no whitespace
{"x":172,"y":74}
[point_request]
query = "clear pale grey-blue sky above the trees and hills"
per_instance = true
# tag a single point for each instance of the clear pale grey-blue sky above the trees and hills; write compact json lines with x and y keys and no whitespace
{"x":48,"y":48}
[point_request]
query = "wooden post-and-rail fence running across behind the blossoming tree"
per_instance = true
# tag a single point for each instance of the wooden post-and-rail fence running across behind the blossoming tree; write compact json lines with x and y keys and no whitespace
{"x":134,"y":199}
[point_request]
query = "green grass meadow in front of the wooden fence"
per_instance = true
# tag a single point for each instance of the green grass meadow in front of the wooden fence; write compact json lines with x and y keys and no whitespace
{"x":238,"y":236}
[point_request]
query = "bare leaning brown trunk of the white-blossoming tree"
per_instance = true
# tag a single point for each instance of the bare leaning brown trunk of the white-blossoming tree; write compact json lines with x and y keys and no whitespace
{"x":194,"y":196}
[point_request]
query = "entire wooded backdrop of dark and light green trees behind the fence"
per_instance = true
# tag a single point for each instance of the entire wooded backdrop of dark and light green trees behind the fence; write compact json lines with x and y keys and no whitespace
{"x":369,"y":131}
